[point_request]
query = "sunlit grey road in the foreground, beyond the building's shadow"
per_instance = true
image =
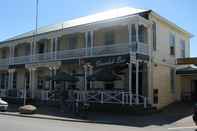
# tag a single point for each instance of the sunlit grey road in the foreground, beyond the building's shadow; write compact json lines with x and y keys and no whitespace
{"x":12,"y":123}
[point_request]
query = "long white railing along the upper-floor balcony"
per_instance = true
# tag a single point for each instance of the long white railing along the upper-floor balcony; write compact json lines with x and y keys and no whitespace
{"x":114,"y":49}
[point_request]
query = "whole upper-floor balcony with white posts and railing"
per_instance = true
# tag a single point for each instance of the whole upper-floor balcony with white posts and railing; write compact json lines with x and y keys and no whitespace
{"x":113,"y":40}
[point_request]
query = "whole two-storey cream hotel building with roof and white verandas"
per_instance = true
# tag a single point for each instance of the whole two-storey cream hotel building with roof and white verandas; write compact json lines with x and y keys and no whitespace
{"x":135,"y":50}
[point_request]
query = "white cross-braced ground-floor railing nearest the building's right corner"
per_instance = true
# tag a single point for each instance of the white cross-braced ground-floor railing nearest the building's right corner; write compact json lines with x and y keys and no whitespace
{"x":106,"y":97}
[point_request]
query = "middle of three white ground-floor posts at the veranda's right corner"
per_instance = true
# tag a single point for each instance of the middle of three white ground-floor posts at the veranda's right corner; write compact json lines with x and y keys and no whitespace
{"x":137,"y":82}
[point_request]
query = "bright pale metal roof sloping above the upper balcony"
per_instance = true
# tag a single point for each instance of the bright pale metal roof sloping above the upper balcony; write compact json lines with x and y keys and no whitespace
{"x":115,"y":13}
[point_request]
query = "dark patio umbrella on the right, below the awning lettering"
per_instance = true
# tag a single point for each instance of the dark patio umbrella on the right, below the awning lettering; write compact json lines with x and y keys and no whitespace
{"x":105,"y":74}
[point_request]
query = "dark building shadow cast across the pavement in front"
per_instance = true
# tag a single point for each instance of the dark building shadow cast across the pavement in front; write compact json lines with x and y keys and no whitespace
{"x":169,"y":115}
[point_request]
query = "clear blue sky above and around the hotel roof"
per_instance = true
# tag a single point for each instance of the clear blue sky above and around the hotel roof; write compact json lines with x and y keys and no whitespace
{"x":18,"y":16}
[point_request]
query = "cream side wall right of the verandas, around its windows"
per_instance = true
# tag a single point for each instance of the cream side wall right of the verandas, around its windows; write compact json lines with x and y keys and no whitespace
{"x":163,"y":61}
